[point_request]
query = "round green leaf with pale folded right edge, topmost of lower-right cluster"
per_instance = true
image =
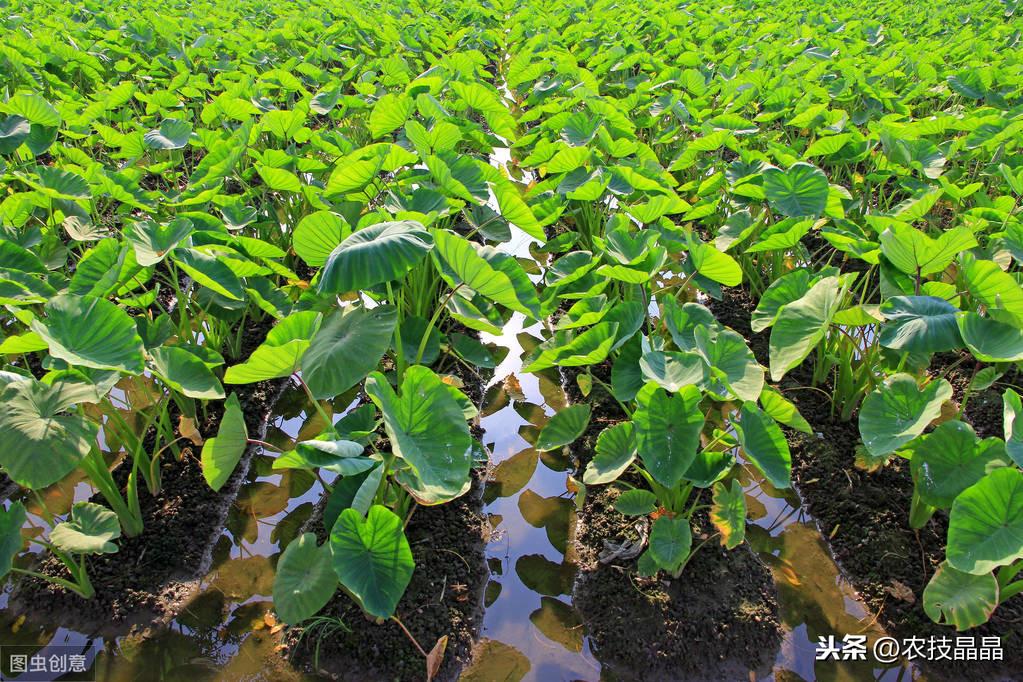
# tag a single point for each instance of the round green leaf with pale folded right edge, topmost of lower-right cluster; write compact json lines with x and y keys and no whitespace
{"x":899,"y":412}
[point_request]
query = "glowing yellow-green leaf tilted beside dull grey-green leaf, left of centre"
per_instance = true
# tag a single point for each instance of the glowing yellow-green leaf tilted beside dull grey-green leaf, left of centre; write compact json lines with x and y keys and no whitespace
{"x":281,"y":354}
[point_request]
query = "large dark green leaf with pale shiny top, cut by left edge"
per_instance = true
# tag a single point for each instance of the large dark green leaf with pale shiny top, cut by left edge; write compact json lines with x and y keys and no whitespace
{"x":40,"y":445}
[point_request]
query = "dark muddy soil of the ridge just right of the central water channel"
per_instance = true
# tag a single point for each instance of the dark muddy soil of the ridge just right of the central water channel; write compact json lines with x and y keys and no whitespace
{"x":719,"y":621}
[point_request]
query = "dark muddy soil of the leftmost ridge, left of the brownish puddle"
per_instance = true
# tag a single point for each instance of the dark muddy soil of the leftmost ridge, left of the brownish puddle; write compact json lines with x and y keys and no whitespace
{"x":154,"y":574}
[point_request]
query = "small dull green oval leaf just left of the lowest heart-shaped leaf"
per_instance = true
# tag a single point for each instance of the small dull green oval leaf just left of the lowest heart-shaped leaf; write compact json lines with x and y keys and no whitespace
{"x":305,"y":580}
